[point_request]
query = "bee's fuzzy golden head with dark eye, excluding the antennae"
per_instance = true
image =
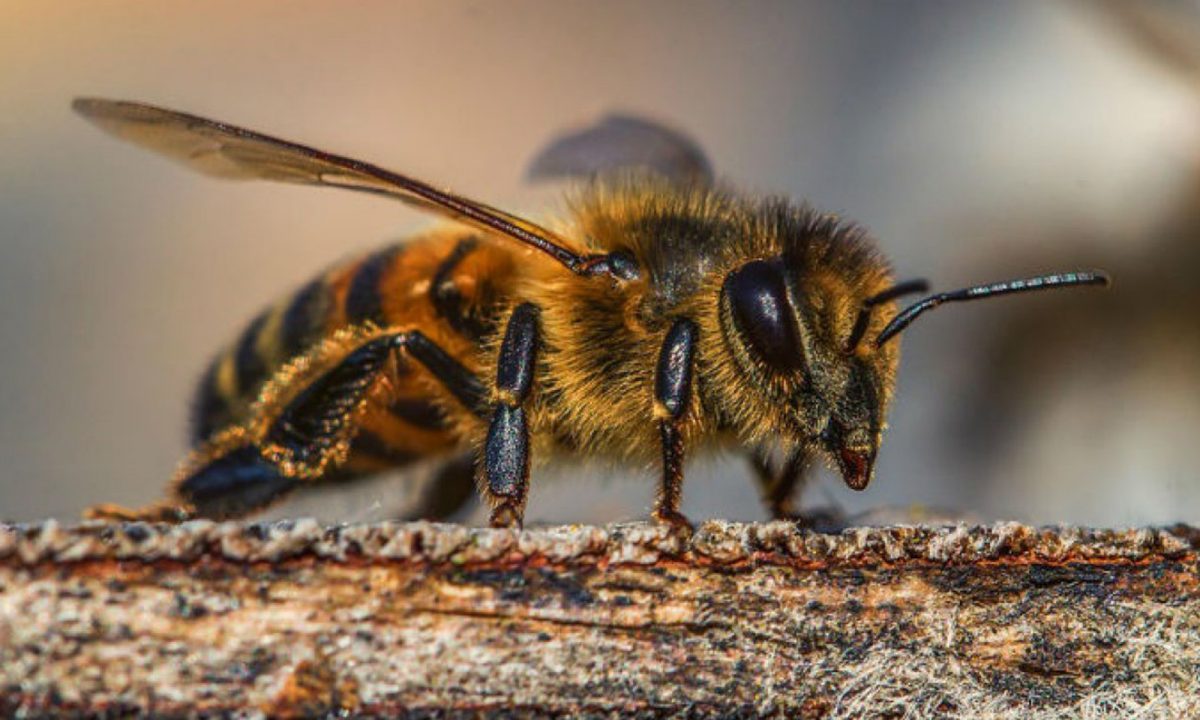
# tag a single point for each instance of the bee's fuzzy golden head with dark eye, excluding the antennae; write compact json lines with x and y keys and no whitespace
{"x":791,"y":335}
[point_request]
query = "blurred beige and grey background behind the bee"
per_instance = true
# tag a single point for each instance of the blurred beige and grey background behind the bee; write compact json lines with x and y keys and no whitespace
{"x":977,"y":141}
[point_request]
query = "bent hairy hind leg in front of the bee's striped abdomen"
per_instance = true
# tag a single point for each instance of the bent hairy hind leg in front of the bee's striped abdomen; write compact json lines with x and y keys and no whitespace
{"x":241,"y":471}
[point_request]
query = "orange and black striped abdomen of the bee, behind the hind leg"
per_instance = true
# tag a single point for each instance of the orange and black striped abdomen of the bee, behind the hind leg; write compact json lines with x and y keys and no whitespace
{"x":447,"y":285}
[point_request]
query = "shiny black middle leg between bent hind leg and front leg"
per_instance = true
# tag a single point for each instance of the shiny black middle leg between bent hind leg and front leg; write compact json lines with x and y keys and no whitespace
{"x":507,"y":449}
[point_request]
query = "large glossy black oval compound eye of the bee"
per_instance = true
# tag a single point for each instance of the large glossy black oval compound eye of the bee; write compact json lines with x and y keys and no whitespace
{"x":764,"y":315}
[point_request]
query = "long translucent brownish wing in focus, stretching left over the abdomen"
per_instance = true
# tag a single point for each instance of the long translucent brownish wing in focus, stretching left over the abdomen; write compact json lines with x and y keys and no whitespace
{"x":235,"y":153}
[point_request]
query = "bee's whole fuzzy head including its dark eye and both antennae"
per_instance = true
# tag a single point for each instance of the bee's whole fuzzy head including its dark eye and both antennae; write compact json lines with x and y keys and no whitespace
{"x":812,"y":344}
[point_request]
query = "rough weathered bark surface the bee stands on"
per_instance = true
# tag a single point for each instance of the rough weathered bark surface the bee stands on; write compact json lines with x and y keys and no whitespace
{"x":741,"y":620}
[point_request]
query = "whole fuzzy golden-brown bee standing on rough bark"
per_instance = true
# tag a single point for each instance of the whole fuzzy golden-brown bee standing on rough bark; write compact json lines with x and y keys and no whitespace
{"x":663,"y":314}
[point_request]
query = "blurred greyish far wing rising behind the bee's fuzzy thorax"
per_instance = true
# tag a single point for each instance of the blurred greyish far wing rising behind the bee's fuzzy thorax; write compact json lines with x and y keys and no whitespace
{"x":620,"y":143}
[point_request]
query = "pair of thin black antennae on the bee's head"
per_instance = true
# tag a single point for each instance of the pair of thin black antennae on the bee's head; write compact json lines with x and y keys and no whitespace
{"x":905,"y":317}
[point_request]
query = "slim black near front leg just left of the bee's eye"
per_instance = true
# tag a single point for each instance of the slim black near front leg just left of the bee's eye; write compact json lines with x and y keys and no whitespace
{"x":673,"y":399}
